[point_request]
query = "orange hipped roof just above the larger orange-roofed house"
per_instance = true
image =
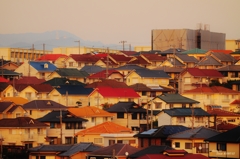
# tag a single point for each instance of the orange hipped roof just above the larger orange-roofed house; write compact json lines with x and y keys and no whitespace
{"x":89,"y":111}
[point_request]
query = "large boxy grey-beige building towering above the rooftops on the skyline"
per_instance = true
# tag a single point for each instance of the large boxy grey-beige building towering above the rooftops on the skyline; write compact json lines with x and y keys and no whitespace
{"x":187,"y":39}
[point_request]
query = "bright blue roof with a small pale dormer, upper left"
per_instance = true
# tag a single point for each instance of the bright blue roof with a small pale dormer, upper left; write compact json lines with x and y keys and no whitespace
{"x":49,"y":67}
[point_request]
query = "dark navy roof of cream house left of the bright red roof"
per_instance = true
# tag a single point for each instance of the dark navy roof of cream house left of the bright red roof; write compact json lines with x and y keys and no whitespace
{"x":74,"y":89}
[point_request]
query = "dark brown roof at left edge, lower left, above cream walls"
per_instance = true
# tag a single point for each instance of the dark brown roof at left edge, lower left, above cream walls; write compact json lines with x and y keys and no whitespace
{"x":21,"y":122}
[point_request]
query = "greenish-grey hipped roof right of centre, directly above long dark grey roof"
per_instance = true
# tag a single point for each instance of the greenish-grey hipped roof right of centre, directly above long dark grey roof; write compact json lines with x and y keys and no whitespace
{"x":176,"y":98}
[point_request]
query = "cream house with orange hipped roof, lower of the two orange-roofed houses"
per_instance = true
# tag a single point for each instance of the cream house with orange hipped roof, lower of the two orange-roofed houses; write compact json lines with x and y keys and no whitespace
{"x":106,"y":134}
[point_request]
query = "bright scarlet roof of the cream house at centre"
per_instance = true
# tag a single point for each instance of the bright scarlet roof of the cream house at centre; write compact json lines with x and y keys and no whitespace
{"x":117,"y":92}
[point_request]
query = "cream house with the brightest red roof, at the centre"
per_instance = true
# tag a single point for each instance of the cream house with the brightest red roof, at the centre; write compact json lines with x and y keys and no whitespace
{"x":110,"y":95}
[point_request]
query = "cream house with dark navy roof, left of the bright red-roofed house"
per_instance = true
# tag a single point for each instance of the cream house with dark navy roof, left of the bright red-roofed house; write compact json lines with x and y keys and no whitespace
{"x":71,"y":95}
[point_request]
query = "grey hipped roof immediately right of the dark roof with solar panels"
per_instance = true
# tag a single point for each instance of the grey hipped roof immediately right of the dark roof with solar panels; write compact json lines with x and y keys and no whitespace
{"x":196,"y":133}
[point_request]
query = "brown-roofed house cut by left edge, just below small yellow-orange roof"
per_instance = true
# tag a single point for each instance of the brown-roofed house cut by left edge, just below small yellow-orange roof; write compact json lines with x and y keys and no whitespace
{"x":11,"y":110}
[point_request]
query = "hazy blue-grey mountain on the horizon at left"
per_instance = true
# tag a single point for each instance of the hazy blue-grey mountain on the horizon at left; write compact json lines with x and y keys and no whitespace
{"x":51,"y":39}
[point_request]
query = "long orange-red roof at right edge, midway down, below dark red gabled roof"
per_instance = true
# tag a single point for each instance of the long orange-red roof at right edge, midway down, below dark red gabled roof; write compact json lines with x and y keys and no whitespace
{"x":214,"y":89}
